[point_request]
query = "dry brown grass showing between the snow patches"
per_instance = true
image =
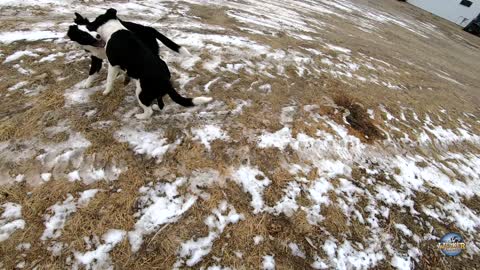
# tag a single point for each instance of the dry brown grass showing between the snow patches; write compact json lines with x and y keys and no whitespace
{"x":111,"y":209}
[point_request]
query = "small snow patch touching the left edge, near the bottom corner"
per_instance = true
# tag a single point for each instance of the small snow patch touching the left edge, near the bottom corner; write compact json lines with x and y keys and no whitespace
{"x":10,"y":220}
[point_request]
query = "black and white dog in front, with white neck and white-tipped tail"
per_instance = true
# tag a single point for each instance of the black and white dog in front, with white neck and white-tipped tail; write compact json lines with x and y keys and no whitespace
{"x":126,"y":51}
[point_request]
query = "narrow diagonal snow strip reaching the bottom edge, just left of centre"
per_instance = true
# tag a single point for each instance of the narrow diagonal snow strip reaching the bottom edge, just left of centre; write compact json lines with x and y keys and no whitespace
{"x":192,"y":251}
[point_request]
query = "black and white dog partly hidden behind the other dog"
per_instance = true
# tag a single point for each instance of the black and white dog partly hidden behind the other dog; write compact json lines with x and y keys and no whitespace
{"x":95,"y":46}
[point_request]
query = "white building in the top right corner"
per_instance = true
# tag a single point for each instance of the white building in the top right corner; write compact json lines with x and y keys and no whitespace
{"x":461,"y":12}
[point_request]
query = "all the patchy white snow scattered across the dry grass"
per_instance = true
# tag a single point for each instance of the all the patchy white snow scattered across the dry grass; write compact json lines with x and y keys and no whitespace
{"x":323,"y":165}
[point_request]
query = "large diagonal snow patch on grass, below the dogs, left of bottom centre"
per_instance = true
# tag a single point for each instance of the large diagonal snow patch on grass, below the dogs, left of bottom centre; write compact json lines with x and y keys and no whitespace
{"x":160,"y":205}
